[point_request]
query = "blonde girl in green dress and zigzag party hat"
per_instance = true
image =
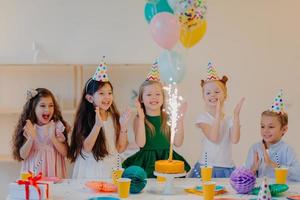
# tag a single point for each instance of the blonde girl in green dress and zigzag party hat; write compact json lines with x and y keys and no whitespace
{"x":152,"y":134}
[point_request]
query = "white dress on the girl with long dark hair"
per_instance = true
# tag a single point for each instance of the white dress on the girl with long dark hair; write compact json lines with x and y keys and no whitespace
{"x":89,"y":168}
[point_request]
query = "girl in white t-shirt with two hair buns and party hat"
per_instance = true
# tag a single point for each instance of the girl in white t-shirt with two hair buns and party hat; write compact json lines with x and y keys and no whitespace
{"x":219,"y":130}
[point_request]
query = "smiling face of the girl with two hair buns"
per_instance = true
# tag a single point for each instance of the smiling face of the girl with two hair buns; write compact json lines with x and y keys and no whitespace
{"x":212,"y":91}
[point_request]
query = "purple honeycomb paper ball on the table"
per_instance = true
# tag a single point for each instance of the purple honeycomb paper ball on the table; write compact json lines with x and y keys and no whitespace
{"x":242,"y":180}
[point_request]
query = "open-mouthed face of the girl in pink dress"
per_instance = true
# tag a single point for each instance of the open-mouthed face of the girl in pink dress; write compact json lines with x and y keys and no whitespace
{"x":44,"y":110}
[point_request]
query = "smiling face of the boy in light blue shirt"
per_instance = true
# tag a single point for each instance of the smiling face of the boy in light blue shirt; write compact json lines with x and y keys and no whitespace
{"x":272,"y":129}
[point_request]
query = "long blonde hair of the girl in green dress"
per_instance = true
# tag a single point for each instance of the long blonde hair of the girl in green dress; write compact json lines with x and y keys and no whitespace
{"x":164,"y":126}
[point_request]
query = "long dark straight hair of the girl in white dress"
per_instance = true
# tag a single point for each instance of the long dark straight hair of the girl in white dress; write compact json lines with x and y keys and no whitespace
{"x":85,"y":120}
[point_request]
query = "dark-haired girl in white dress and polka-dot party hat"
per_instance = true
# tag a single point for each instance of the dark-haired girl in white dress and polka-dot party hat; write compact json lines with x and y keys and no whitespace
{"x":99,"y":132}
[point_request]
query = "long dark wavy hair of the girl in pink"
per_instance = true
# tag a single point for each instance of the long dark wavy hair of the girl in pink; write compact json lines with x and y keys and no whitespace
{"x":29,"y":113}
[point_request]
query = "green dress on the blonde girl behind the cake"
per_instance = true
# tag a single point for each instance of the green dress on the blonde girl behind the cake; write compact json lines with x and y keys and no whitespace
{"x":157,"y":147}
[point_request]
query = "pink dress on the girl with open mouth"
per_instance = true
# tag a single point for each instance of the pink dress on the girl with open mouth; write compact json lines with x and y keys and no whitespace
{"x":43,"y":156}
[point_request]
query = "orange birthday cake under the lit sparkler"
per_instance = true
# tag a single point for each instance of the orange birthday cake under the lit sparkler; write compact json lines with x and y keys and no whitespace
{"x":169,"y":166}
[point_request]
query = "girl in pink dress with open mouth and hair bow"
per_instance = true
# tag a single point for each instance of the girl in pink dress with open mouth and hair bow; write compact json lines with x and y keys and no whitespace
{"x":40,"y":138}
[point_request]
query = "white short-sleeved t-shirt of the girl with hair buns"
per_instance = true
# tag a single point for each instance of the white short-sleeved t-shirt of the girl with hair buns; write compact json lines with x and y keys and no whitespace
{"x":218,"y":154}
